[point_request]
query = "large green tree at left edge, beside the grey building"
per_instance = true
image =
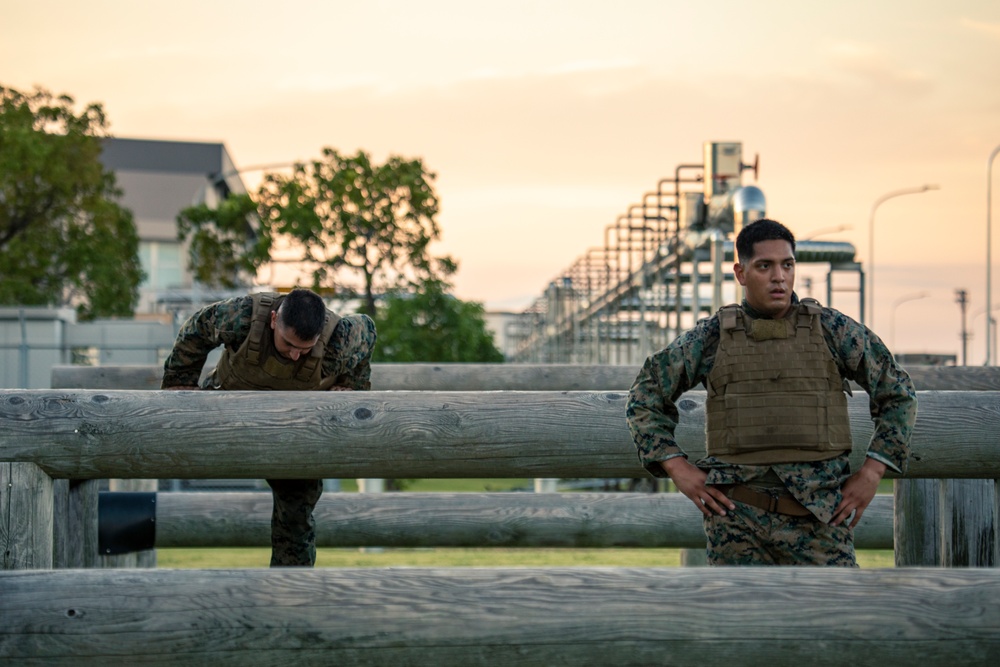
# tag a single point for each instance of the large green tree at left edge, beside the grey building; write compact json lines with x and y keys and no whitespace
{"x":64,"y":239}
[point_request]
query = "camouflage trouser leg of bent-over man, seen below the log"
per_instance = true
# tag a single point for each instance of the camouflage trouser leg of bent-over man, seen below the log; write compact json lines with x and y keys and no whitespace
{"x":293,"y":528}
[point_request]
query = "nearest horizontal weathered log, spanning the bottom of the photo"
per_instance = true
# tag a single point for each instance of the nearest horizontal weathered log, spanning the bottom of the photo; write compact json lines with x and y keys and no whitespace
{"x":483,"y":616}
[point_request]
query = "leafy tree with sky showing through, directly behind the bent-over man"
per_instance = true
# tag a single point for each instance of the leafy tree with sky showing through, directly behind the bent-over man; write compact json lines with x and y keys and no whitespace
{"x":365,"y":228}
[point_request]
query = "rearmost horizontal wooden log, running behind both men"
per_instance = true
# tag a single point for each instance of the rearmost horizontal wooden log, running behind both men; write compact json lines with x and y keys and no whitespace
{"x":492,"y":377}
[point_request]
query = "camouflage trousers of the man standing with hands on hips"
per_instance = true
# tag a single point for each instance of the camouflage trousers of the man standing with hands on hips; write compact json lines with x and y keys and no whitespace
{"x":752,"y":536}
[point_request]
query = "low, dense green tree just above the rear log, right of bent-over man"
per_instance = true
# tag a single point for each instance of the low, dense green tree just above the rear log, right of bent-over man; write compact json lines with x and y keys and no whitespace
{"x":432,"y":326}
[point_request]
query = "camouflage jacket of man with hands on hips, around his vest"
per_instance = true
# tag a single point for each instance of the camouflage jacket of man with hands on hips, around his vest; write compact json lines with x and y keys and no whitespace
{"x":860,"y":355}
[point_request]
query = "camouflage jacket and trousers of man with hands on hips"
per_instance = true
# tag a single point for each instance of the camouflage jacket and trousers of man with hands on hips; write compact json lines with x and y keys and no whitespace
{"x":749,"y":535}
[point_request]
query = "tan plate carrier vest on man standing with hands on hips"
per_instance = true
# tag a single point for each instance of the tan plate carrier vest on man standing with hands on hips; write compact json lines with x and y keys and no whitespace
{"x":775,"y":394}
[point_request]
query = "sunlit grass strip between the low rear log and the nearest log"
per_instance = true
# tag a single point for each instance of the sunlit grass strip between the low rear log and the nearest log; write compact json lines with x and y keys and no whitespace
{"x":492,"y":557}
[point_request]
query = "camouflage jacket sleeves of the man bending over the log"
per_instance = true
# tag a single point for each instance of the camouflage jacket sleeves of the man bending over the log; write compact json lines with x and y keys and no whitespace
{"x":347,"y":355}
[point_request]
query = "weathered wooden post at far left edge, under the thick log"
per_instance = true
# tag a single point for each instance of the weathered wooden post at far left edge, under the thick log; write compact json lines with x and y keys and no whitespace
{"x":25,"y":517}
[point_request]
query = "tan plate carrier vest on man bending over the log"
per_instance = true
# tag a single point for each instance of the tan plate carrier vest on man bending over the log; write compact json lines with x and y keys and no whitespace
{"x":257,"y":365}
